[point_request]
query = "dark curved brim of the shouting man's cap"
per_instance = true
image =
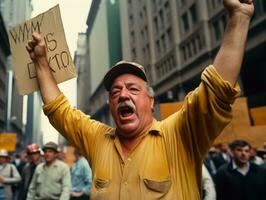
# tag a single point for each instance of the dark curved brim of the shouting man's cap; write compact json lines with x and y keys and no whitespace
{"x":123,"y":68}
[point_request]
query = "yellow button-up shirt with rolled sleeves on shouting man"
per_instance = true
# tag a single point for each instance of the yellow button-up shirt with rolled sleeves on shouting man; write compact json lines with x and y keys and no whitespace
{"x":166,"y":163}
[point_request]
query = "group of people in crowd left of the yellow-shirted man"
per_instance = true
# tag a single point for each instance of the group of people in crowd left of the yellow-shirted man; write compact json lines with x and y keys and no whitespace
{"x":39,"y":173}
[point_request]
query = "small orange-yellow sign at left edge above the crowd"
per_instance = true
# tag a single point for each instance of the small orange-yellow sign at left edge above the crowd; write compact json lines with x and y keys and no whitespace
{"x":8,"y":141}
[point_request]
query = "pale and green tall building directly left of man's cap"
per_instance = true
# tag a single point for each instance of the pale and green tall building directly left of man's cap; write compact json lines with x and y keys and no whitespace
{"x":104,"y":49}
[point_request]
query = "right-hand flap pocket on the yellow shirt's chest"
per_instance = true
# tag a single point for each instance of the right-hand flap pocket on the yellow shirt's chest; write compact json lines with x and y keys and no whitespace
{"x":153,"y":188}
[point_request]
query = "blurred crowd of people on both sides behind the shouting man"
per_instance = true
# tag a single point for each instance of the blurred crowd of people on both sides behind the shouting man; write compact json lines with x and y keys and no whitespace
{"x":230,"y":171}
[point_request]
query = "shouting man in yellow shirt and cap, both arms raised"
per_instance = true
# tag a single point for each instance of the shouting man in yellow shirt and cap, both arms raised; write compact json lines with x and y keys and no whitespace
{"x":143,"y":158}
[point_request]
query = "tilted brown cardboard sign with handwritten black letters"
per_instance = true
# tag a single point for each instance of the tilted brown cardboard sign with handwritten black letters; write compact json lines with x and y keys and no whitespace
{"x":49,"y":25}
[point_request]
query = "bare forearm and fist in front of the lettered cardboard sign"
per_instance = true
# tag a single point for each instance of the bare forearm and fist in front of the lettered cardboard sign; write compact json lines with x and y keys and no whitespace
{"x":47,"y":84}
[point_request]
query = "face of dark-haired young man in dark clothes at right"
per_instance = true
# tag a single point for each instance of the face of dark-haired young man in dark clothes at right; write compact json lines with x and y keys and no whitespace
{"x":241,"y":154}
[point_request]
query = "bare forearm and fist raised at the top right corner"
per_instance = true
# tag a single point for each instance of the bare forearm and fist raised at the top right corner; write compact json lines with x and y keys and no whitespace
{"x":229,"y":58}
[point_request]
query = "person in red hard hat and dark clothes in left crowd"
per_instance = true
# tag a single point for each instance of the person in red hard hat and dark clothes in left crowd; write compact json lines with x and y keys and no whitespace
{"x":34,"y":158}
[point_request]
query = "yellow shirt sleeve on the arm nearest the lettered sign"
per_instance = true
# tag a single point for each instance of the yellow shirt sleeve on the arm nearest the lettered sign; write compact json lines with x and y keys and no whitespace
{"x":77,"y":127}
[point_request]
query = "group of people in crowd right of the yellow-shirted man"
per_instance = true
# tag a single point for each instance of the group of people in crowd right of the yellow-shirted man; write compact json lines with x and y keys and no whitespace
{"x":234,"y":171}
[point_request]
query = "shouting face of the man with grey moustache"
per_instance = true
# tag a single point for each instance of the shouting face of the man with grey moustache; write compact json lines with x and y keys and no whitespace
{"x":130,"y":105}
